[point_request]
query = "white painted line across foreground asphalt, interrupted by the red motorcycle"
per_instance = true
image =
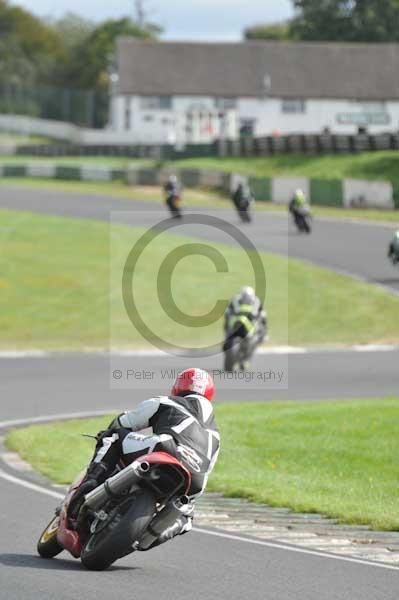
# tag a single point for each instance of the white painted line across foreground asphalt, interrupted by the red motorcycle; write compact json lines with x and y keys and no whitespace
{"x":53,"y":494}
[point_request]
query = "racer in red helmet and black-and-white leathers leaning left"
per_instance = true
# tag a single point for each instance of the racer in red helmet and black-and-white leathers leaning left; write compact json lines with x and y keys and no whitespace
{"x":183,"y":425}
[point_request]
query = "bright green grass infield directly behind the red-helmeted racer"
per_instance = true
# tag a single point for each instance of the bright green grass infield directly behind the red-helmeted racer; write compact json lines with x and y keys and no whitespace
{"x":335,"y":458}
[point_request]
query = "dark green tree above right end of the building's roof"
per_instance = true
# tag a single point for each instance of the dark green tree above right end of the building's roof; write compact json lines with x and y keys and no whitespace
{"x":346,"y":20}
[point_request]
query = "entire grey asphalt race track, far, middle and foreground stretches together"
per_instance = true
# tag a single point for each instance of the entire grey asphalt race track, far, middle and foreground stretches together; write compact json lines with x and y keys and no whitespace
{"x":197,"y":566}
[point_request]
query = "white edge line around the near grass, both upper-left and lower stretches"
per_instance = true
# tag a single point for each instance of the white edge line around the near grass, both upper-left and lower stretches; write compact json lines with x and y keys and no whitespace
{"x":236,"y":538}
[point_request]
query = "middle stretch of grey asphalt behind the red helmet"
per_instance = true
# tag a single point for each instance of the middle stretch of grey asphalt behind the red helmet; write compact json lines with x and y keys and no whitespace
{"x":31,"y":387}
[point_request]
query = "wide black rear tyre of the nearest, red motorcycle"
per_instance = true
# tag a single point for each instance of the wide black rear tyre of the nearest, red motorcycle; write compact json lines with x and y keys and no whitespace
{"x":116,"y":538}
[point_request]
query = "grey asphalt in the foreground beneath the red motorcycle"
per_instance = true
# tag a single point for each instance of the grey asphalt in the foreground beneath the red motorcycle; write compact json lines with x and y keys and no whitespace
{"x":196,"y":566}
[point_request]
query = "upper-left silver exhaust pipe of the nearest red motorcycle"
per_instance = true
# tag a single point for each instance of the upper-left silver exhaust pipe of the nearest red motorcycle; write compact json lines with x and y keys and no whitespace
{"x":116,"y":485}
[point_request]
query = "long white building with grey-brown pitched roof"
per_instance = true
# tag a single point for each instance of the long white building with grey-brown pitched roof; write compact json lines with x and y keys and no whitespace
{"x":177,"y":92}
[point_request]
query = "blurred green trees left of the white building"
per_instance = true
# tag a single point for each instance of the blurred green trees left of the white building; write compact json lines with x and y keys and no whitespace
{"x":59,"y":69}
